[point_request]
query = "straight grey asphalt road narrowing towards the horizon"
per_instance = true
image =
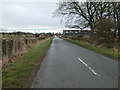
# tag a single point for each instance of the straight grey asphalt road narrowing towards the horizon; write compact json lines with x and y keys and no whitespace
{"x":67,"y":65}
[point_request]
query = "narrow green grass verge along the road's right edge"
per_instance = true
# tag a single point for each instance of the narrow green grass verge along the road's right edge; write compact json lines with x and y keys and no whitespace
{"x":104,"y":51}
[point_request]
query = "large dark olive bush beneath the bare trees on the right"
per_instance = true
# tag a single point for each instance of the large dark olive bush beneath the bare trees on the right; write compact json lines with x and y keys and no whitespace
{"x":105,"y":32}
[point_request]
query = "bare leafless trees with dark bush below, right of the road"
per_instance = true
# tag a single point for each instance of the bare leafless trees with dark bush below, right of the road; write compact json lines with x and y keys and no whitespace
{"x":103,"y":19}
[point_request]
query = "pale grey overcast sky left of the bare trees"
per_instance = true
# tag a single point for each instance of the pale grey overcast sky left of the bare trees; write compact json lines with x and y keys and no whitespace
{"x":28,"y":15}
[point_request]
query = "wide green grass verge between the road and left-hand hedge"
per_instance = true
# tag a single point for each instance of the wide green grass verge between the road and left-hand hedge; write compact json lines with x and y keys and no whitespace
{"x":16,"y":74}
